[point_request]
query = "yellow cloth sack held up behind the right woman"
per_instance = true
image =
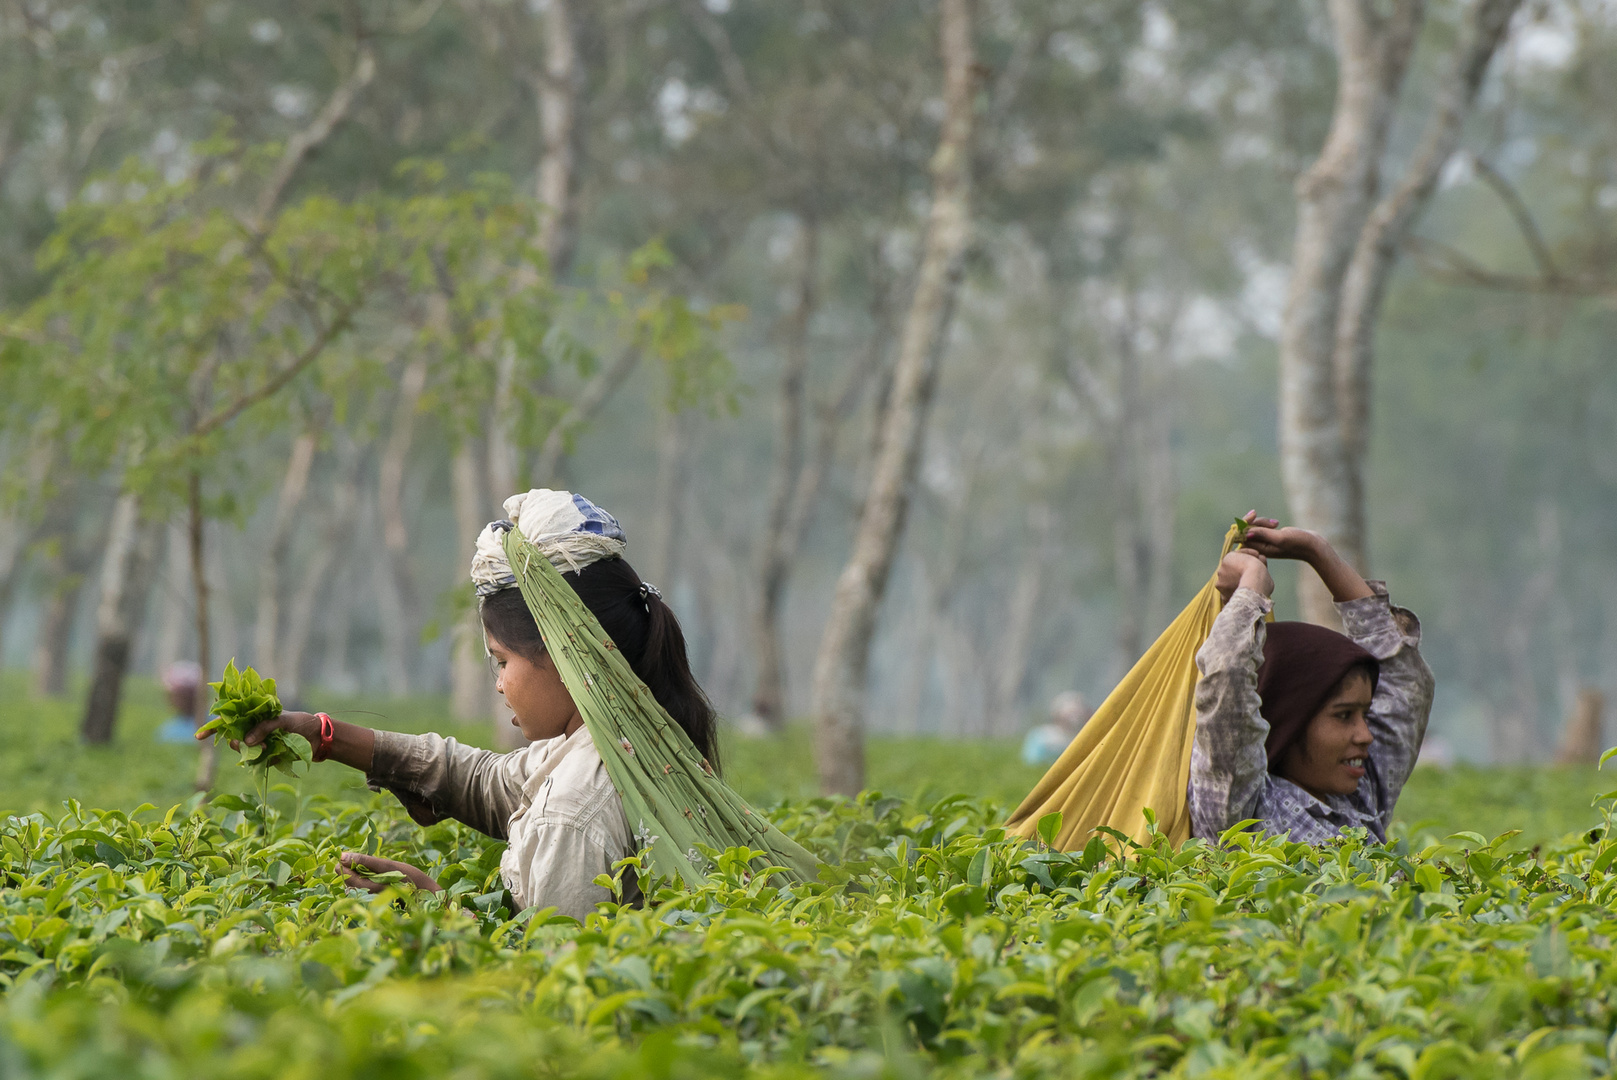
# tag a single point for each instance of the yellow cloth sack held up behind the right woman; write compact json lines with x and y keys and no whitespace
{"x":1136,"y":749}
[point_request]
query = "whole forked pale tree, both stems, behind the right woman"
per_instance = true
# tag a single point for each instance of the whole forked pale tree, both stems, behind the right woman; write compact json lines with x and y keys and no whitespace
{"x":1345,"y":253}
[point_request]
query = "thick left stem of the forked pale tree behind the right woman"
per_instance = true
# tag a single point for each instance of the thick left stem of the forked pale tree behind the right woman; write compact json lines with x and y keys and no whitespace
{"x":1333,"y":201}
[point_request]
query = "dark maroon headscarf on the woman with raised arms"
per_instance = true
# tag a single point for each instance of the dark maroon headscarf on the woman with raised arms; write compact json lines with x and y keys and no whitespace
{"x":1302,"y":664}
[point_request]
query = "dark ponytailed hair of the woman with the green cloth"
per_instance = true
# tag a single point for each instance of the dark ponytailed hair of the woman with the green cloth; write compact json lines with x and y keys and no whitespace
{"x":641,"y":626}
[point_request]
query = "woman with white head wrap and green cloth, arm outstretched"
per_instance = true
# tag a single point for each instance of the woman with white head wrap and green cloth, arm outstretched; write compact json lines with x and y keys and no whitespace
{"x":625,"y":748}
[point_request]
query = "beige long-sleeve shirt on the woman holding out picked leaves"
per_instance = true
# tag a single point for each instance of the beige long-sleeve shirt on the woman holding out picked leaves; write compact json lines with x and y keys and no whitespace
{"x":552,"y":803}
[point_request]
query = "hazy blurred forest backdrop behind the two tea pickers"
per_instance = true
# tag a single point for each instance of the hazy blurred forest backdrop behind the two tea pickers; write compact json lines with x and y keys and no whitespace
{"x":297,"y":293}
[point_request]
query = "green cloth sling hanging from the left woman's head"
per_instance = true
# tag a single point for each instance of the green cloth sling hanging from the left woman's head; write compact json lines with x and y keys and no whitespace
{"x":670,"y":793}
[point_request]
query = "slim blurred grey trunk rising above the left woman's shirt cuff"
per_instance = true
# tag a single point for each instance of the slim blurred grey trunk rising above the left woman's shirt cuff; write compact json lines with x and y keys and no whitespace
{"x":402,"y":633}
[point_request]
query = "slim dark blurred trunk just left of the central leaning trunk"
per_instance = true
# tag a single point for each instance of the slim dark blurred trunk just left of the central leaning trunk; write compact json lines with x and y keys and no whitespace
{"x":769,"y":698}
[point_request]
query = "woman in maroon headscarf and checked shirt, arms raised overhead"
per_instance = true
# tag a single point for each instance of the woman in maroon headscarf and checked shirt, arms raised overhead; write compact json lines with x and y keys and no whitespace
{"x":1302,"y":728}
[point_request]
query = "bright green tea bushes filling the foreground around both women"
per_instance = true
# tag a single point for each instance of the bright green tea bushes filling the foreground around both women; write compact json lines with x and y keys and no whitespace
{"x":219,"y":943}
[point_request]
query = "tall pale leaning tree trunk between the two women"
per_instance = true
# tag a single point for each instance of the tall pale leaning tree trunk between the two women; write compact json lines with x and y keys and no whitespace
{"x":842,"y":665}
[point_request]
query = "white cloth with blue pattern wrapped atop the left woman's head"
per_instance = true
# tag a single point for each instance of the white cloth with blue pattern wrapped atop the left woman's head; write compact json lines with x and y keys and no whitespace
{"x":568,"y":529}
